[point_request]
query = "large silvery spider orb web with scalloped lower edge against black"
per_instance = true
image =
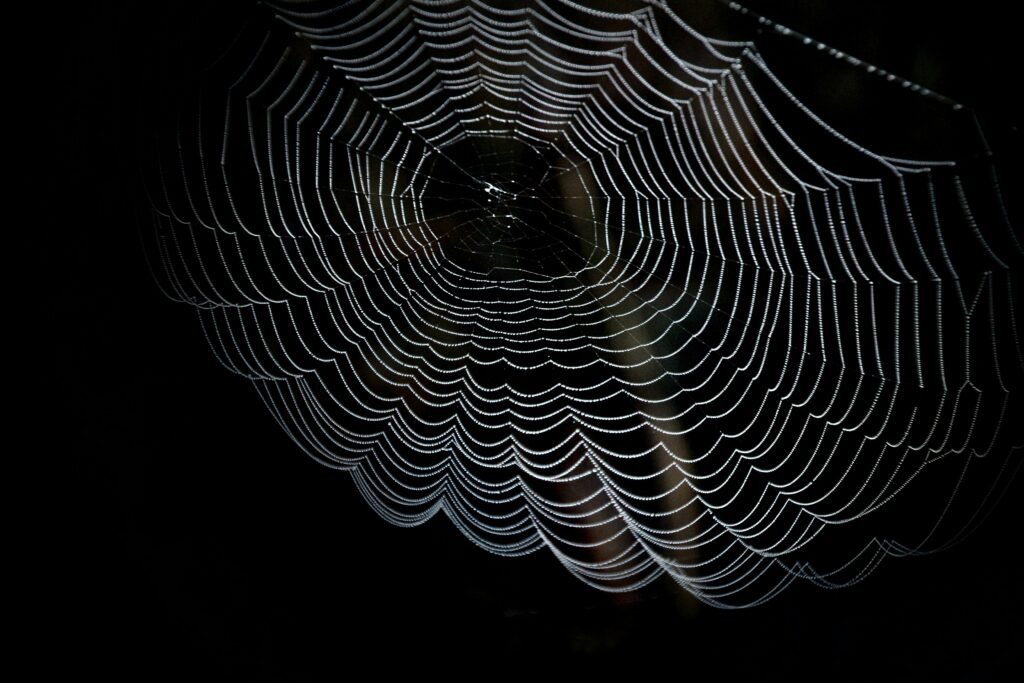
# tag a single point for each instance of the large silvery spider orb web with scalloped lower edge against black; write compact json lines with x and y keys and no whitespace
{"x":593,"y":282}
